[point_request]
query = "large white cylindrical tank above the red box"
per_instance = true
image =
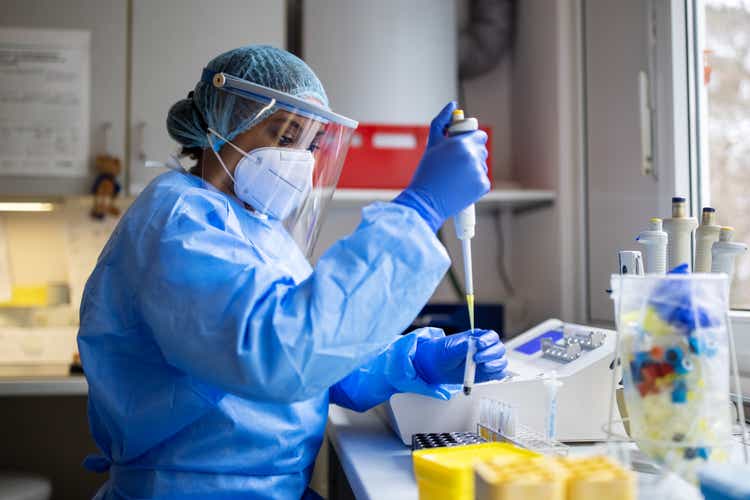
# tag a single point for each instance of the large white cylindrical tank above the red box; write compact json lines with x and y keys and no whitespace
{"x":387,"y":61}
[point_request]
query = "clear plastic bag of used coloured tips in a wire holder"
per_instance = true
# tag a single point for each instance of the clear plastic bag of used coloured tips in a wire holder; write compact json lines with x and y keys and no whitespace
{"x":675,"y":356}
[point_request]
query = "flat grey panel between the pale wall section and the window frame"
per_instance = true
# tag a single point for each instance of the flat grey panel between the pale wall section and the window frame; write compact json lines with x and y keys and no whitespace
{"x":620,"y":199}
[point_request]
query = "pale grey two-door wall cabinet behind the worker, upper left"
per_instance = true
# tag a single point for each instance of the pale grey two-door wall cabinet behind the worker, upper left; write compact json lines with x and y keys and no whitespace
{"x":145,"y":55}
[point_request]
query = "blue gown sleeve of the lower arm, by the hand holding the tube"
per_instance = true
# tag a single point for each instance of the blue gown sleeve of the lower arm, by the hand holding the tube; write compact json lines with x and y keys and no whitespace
{"x":391,"y":372}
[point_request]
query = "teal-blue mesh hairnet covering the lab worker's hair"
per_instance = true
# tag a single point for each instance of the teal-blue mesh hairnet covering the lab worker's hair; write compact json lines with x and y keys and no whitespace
{"x":189,"y":119}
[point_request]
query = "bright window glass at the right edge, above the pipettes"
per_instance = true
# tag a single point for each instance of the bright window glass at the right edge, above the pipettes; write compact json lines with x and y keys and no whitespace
{"x":723,"y":37}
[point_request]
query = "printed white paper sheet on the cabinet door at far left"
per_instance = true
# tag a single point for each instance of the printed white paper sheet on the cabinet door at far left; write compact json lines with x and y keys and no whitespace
{"x":45,"y":84}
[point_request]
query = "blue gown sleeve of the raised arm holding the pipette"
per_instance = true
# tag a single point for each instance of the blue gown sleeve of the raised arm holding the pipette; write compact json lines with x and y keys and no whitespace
{"x":222,"y":314}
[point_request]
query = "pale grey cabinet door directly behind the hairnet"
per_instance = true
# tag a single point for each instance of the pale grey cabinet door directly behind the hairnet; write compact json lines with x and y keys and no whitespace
{"x":172,"y":41}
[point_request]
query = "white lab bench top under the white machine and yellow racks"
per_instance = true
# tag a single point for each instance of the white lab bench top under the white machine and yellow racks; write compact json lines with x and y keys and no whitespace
{"x":374,"y":462}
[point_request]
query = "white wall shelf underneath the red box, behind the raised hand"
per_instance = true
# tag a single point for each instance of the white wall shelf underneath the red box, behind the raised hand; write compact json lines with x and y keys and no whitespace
{"x":515,"y":199}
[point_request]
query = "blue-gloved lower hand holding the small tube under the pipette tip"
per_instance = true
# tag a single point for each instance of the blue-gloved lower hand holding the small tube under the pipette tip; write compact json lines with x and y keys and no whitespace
{"x":442,"y":360}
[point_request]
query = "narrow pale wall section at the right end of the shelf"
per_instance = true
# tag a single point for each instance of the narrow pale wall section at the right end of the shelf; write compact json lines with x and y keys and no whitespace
{"x":548,"y":253}
